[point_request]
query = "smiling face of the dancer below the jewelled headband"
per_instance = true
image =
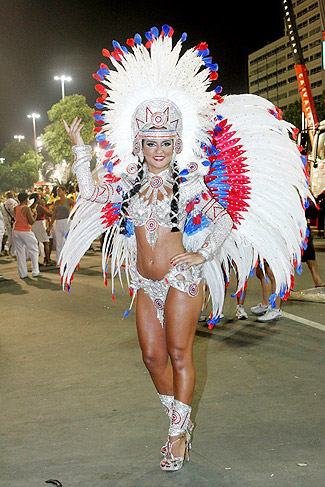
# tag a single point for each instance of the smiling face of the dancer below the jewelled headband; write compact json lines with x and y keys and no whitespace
{"x":157,"y":154}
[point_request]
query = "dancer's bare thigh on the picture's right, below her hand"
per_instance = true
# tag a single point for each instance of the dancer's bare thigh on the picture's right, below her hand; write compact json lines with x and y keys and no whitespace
{"x":182,"y":313}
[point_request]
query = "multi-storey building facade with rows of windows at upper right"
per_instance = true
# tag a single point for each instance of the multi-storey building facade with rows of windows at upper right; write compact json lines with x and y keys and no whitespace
{"x":271,"y":72}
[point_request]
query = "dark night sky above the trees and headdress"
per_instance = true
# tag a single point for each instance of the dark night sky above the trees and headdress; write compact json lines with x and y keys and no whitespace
{"x":40,"y":39}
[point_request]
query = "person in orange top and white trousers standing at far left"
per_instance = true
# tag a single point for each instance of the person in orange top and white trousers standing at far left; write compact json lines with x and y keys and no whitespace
{"x":24,"y":238}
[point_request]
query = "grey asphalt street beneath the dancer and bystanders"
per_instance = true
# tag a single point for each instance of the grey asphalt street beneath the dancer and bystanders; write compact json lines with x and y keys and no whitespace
{"x":78,"y":405}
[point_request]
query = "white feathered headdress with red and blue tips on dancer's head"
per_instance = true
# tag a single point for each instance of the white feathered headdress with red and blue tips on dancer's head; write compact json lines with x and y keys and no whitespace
{"x":154,"y":86}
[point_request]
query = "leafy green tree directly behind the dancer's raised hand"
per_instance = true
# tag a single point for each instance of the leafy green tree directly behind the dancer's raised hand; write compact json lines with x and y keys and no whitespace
{"x":55,"y":138}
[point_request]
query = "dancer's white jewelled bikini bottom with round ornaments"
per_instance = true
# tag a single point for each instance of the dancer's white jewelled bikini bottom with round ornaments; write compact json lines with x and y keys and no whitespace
{"x":187,"y":281}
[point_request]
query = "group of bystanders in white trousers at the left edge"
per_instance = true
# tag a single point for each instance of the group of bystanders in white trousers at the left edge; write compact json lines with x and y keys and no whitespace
{"x":34,"y":223}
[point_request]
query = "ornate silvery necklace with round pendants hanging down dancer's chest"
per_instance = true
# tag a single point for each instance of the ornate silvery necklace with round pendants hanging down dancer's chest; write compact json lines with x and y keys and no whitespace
{"x":154,"y":184}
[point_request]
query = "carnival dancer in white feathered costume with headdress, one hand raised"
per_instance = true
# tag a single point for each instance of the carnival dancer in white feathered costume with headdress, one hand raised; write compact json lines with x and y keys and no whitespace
{"x":178,"y":198}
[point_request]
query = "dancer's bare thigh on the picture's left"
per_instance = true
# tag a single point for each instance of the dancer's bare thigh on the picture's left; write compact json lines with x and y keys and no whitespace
{"x":152,"y":336}
